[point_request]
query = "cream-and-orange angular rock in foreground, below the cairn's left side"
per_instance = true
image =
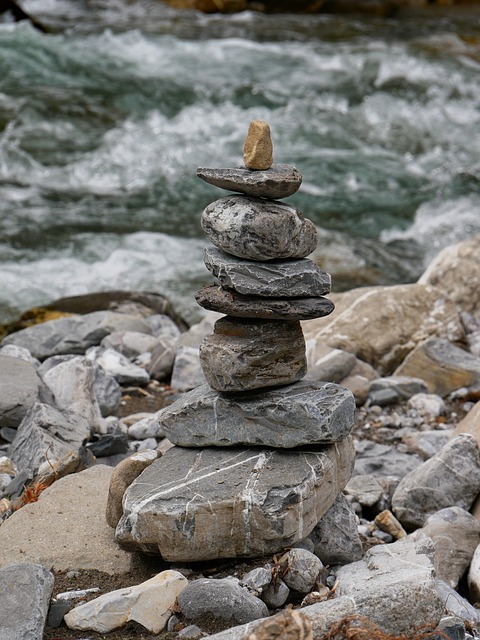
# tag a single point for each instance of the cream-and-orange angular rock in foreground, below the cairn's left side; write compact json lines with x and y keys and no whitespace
{"x":149,"y":603}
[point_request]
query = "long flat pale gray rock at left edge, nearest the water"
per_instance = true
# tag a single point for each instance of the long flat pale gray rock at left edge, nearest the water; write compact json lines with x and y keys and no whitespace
{"x":73,"y":334}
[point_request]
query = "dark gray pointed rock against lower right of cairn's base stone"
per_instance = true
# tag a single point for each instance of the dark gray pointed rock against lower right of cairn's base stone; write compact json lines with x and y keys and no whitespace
{"x":336,"y":537}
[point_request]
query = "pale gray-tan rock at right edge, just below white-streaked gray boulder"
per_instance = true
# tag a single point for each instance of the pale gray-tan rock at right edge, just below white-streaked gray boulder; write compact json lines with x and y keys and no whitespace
{"x":456,"y":535}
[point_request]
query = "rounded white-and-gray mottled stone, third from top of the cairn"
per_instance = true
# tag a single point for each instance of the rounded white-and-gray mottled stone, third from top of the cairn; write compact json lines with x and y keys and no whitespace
{"x":258,"y":229}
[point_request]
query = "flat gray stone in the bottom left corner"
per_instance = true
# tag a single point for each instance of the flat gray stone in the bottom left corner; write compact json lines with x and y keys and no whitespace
{"x":25,"y":590}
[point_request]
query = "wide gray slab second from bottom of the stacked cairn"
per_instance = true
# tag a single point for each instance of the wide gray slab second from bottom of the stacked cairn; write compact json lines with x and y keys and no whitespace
{"x":304,"y":413}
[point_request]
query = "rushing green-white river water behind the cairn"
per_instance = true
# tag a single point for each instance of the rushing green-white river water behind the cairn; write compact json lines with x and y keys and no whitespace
{"x":104,"y":120}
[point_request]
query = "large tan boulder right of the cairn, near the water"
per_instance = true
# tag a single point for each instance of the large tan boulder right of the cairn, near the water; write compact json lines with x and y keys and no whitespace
{"x":370,"y":327}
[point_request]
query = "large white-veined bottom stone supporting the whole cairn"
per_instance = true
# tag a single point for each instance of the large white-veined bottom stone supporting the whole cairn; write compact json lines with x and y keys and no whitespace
{"x":222,"y":503}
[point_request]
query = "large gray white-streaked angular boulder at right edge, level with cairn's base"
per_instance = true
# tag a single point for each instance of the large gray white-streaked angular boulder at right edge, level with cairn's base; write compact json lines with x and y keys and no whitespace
{"x":450,"y":478}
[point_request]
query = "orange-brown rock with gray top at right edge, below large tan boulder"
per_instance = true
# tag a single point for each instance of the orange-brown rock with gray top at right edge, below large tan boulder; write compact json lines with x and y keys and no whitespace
{"x":443,"y":366}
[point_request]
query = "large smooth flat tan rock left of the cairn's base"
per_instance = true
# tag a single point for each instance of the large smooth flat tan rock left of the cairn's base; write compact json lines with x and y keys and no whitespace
{"x":66,"y":528}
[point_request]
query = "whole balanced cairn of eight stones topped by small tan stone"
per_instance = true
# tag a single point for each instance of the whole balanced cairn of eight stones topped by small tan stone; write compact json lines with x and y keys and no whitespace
{"x":261,"y":454}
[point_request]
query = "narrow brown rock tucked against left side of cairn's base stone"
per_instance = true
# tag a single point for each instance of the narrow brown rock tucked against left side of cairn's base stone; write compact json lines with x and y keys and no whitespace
{"x":122,"y":477}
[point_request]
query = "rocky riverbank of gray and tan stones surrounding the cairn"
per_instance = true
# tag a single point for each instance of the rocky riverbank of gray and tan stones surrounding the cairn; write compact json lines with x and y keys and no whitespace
{"x":81,"y":417}
